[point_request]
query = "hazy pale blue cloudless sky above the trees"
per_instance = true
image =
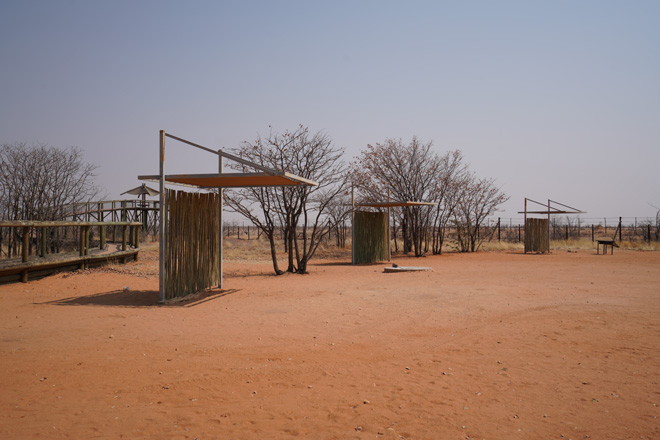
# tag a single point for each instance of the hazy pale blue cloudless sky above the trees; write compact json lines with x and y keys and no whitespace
{"x":556,"y":99}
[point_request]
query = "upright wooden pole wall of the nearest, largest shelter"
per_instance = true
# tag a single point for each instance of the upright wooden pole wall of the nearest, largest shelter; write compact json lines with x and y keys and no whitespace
{"x":192,"y":243}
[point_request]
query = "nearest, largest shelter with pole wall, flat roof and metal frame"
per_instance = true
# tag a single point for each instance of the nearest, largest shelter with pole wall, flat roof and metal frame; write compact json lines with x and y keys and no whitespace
{"x":190,"y":227}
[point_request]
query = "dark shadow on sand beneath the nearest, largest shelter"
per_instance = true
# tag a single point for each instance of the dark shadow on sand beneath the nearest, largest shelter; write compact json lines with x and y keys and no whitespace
{"x":139,"y":298}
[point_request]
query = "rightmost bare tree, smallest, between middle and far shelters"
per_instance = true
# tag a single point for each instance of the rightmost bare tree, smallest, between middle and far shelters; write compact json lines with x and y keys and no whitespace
{"x":479,"y":199}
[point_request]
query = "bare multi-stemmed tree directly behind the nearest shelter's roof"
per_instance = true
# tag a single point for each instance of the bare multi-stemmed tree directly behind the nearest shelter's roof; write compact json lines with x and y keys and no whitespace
{"x":303,"y":208}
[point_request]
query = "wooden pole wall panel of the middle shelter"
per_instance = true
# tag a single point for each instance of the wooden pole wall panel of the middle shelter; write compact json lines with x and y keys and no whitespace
{"x":370,"y":243}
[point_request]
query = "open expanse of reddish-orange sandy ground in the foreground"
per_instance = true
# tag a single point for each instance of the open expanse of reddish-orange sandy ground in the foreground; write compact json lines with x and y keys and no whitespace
{"x":487,"y":346}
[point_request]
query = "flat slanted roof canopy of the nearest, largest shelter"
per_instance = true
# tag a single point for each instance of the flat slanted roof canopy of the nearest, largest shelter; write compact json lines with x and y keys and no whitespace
{"x":233,"y":180}
